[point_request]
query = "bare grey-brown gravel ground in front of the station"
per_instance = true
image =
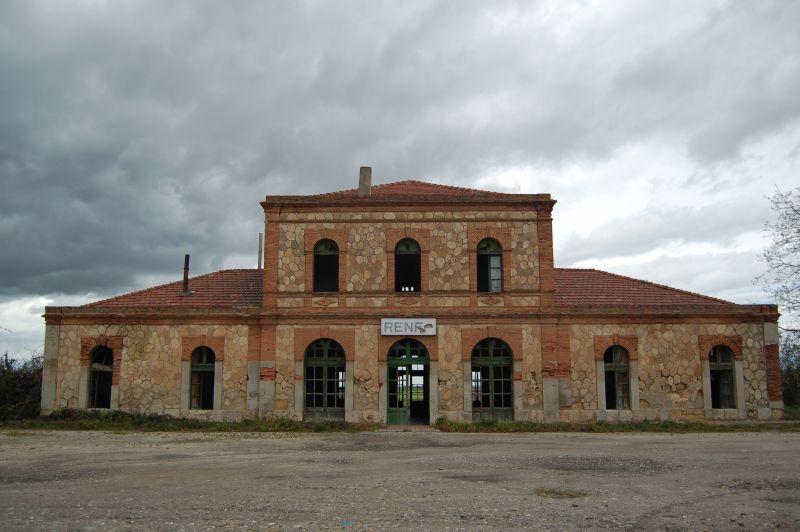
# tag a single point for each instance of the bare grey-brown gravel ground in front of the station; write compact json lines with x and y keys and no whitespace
{"x":398,"y":480}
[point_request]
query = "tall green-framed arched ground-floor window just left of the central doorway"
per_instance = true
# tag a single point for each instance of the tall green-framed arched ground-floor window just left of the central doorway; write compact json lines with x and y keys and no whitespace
{"x":324,"y":370}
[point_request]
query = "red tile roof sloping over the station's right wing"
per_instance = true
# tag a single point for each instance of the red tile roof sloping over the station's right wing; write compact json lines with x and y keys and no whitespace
{"x":588,"y":287}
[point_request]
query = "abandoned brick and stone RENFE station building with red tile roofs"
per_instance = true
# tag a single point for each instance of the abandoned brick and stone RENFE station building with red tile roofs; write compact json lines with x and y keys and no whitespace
{"x":410,"y":301}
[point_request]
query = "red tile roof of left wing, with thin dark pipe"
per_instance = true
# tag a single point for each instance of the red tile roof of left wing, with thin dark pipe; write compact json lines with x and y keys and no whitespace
{"x":225,"y":288}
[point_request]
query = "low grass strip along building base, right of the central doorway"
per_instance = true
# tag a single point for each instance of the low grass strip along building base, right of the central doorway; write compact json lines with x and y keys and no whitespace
{"x":679,"y":427}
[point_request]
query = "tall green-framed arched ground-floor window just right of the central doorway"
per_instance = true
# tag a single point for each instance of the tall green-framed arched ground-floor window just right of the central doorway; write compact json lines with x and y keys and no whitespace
{"x":492,"y":367}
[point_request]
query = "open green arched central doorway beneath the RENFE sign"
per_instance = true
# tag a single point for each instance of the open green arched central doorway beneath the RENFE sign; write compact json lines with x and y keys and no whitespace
{"x":409,"y":398}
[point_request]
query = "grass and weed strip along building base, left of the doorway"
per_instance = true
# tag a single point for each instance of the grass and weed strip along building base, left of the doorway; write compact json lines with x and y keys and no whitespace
{"x":120,"y":422}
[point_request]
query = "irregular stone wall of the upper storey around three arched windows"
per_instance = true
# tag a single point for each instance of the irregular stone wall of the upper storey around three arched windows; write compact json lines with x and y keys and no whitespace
{"x":365,"y":248}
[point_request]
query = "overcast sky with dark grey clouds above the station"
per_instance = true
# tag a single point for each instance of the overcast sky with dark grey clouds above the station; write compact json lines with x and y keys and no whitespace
{"x":134,"y":132}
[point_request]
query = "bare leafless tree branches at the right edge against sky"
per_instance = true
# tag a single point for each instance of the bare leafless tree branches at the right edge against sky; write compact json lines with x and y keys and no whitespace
{"x":782,"y":278}
